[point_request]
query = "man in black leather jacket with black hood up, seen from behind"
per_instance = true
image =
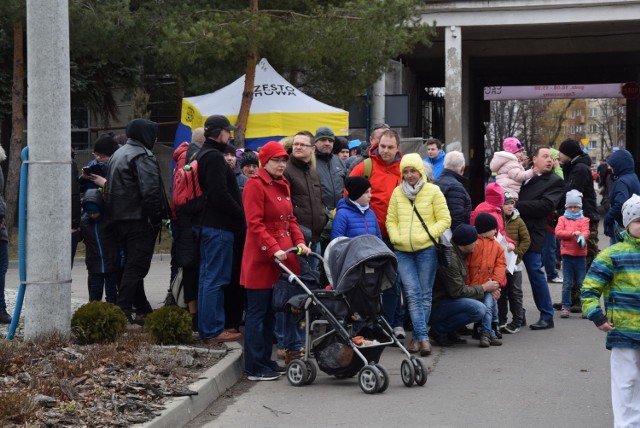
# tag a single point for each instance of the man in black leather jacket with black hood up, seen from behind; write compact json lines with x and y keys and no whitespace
{"x":135,"y":202}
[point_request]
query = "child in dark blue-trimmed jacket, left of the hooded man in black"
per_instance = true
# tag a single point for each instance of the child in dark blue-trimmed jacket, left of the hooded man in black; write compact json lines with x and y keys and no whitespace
{"x":102,"y":255}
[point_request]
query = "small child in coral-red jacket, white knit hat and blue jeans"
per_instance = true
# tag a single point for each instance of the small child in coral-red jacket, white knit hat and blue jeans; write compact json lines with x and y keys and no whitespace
{"x":572,"y":231}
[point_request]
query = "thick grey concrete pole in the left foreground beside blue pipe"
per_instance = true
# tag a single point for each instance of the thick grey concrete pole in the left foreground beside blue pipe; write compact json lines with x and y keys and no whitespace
{"x":47,"y":306}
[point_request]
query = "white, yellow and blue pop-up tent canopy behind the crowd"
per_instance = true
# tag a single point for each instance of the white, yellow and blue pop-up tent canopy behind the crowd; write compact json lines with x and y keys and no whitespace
{"x":278,"y":109}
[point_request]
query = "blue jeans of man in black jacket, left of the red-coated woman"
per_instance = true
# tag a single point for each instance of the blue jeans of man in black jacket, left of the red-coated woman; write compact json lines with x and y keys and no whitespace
{"x":216,"y":249}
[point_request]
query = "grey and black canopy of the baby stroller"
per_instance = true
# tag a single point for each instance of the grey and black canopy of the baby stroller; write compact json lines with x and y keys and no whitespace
{"x":346,"y":259}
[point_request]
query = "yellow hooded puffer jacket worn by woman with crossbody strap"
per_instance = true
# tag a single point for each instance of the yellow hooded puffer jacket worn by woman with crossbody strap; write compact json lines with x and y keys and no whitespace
{"x":403,"y":225}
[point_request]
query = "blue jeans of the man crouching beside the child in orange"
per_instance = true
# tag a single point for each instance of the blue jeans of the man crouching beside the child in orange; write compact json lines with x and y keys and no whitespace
{"x":451,"y":314}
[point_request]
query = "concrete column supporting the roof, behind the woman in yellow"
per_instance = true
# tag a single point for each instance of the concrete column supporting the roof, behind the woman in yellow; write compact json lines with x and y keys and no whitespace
{"x":453,"y":84}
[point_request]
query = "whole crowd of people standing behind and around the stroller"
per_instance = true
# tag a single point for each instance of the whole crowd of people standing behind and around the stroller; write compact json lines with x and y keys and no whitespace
{"x":311,"y":188}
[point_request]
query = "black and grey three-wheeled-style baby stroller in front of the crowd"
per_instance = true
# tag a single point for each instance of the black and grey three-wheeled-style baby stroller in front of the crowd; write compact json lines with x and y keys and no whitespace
{"x":359,"y":269}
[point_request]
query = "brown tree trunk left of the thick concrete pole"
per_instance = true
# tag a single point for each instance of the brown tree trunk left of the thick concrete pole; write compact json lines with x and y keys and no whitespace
{"x":17,"y":126}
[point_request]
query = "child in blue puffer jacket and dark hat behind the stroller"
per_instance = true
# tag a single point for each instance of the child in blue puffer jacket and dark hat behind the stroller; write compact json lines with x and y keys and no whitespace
{"x":353,"y":216}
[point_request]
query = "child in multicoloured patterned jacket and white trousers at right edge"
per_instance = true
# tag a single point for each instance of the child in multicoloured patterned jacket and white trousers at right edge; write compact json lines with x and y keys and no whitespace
{"x":615,"y":274}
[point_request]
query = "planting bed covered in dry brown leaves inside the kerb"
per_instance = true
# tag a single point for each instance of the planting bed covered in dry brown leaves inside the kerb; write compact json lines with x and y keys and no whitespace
{"x":55,"y":382}
